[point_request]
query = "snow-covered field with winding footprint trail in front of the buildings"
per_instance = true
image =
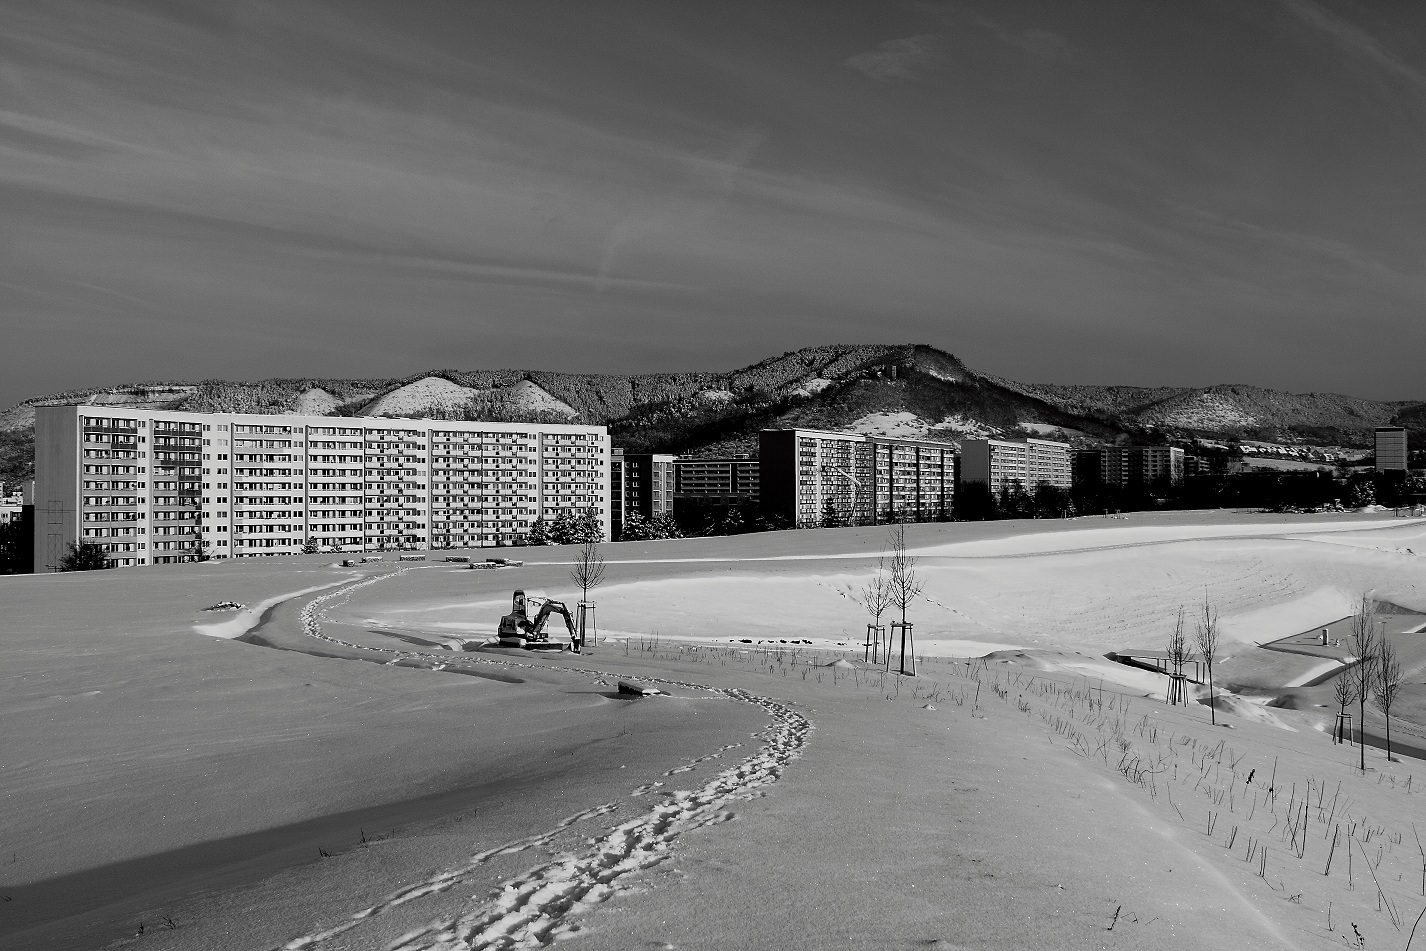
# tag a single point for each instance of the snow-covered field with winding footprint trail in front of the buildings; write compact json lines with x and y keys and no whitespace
{"x":367,"y":788}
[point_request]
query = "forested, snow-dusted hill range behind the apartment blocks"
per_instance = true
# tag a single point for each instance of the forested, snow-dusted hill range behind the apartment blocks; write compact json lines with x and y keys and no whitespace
{"x":893,"y":390}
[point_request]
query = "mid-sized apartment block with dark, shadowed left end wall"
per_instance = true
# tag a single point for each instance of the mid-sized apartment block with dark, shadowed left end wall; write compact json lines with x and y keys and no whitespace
{"x":808,"y":475}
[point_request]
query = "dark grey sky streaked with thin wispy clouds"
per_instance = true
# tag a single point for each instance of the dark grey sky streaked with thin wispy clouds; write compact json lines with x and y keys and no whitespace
{"x":1080,"y":193}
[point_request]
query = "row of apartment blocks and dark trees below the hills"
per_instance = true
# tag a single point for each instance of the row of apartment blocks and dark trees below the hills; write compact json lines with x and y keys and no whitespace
{"x":119,"y":488}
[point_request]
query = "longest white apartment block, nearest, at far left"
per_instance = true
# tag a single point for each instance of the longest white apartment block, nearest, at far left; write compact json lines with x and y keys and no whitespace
{"x":155,"y":485}
